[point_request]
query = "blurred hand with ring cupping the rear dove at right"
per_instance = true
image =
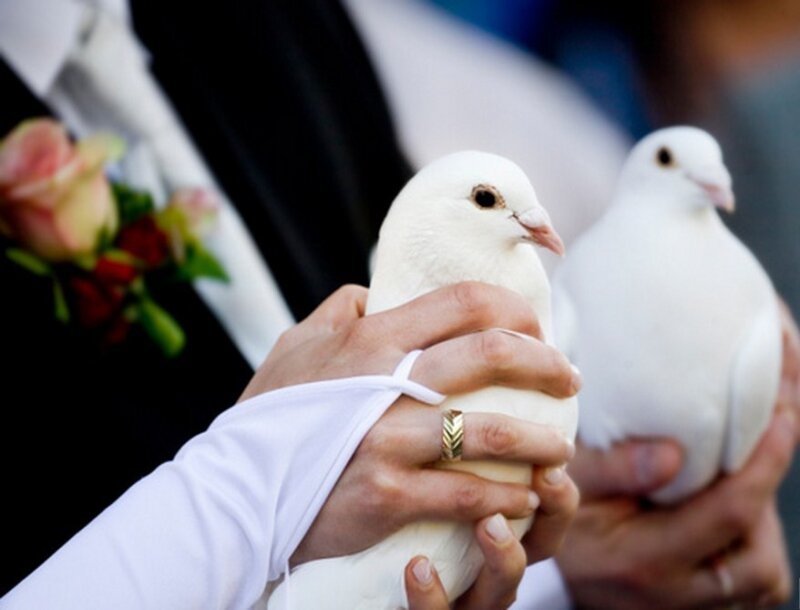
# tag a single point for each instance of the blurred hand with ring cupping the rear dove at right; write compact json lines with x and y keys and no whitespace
{"x":642,"y":556}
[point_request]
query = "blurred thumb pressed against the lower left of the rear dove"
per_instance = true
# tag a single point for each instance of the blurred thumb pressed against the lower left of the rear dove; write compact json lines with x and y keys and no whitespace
{"x":632,"y":468}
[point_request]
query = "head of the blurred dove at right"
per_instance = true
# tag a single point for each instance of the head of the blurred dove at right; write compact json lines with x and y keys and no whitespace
{"x":681,"y":165}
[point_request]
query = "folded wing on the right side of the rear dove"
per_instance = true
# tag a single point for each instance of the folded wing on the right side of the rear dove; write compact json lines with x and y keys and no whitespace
{"x":754,"y":381}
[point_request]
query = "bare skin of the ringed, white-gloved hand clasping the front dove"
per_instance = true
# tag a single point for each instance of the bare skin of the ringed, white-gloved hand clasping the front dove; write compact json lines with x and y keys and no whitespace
{"x":388,"y":483}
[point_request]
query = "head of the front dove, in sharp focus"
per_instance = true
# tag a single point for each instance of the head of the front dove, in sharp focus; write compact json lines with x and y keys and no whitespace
{"x":479,"y":198}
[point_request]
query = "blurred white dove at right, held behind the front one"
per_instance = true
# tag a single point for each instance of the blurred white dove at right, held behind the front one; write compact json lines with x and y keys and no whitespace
{"x":671,"y":319}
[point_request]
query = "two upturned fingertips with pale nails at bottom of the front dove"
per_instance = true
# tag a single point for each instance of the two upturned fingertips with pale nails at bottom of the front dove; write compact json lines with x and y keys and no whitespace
{"x":497,"y":582}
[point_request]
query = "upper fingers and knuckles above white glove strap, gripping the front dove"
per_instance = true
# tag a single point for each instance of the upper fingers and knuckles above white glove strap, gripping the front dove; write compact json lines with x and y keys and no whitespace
{"x":338,"y":340}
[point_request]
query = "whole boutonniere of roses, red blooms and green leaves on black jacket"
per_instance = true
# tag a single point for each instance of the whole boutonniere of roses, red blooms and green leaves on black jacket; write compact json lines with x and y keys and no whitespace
{"x":102,"y":245}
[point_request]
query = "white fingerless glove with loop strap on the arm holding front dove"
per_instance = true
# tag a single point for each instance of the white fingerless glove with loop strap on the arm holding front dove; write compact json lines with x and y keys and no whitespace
{"x":211,"y":527}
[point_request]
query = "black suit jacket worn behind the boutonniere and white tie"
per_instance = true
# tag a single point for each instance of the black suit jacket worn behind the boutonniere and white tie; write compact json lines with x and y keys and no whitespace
{"x":303,"y":145}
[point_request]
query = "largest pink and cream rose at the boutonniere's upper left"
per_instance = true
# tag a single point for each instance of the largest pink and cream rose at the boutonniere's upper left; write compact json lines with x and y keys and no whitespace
{"x":54,"y":196}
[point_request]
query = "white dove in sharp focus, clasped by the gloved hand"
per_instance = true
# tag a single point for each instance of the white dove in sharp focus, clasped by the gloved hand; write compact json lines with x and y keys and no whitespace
{"x":468,"y":216}
